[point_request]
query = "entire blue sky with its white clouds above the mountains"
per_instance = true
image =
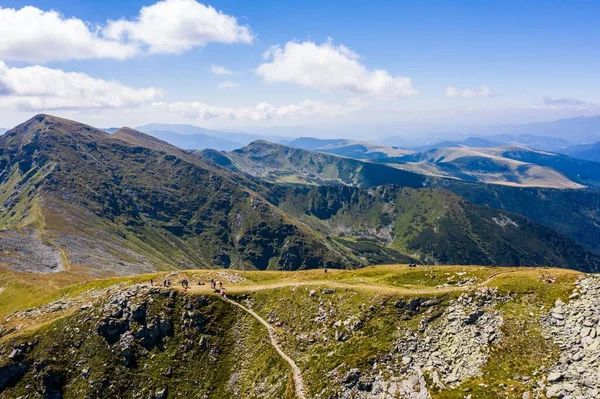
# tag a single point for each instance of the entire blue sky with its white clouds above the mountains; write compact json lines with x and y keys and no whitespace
{"x":409,"y":66}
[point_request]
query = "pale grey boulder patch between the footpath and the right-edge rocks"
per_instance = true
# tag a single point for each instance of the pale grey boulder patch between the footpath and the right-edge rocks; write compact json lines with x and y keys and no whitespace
{"x":450,"y":346}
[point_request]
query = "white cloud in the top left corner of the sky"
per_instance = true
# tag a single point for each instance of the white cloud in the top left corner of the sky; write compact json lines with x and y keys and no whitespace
{"x":30,"y":34}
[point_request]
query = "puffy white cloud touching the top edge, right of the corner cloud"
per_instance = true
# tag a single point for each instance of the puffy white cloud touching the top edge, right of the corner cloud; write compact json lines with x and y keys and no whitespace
{"x":175,"y":26}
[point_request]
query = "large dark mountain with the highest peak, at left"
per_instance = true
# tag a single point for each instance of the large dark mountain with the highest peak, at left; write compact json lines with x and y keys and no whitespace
{"x":129,"y":203}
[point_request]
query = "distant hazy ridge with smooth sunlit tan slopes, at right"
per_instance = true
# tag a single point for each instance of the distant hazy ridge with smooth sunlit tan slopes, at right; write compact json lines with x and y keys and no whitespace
{"x":510,"y":164}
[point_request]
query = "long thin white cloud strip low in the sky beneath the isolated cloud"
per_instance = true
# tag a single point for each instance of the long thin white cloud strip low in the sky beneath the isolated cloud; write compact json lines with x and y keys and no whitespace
{"x":261,"y":112}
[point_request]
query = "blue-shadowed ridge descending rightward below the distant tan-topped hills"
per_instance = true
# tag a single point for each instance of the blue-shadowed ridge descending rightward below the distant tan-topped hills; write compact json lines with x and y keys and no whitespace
{"x":575,"y":213}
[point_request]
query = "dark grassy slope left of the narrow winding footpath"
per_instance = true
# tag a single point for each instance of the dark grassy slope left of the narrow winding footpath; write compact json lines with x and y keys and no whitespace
{"x":225,"y":352}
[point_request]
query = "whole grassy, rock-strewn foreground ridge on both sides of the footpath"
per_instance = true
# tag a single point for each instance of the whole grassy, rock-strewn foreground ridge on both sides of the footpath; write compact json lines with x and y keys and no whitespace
{"x":482,"y":338}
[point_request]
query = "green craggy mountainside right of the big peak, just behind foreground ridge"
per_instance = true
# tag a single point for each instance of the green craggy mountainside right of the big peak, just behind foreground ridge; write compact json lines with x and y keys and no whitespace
{"x":435,"y":225}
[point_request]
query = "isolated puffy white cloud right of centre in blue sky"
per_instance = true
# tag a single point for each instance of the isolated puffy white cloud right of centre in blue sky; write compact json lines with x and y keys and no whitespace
{"x":330,"y":67}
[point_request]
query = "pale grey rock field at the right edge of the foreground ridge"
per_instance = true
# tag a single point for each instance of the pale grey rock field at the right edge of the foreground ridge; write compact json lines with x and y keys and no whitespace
{"x":574,"y":327}
